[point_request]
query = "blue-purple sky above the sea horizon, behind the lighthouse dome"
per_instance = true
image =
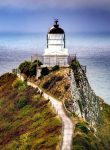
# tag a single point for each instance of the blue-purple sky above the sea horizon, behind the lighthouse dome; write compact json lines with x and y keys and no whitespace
{"x":32,"y":16}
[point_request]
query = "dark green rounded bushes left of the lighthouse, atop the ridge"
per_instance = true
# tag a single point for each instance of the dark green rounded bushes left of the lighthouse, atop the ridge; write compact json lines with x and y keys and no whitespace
{"x":28,"y":68}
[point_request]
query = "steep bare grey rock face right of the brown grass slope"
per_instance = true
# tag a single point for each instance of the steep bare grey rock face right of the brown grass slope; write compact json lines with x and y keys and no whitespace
{"x":84,"y":102}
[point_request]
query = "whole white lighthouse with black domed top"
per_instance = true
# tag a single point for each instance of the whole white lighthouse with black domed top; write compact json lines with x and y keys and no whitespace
{"x":56,"y":53}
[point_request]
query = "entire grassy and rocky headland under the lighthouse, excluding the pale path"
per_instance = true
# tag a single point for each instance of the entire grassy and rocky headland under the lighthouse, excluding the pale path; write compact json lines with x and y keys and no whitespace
{"x":28,"y":121}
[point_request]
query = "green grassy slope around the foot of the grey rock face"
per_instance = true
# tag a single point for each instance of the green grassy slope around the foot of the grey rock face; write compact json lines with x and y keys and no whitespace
{"x":86,"y":138}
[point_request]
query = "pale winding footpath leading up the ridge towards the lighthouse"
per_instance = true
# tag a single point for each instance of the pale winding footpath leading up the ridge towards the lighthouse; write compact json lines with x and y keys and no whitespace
{"x":66,"y":121}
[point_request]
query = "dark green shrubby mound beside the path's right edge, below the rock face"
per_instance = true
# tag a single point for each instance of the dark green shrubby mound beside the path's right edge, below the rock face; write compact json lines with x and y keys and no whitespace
{"x":84,"y":138}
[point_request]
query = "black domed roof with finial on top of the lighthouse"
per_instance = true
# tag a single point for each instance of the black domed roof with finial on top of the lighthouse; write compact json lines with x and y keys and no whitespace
{"x":56,"y":29}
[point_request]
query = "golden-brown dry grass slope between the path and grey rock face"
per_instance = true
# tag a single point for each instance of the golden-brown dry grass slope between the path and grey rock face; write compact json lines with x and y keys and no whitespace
{"x":56,"y":84}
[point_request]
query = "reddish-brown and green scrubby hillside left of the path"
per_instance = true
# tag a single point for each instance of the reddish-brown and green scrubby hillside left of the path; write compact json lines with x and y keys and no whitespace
{"x":26,"y":118}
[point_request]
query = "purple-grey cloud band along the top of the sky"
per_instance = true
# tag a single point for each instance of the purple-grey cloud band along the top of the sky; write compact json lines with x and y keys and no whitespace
{"x":33,"y":4}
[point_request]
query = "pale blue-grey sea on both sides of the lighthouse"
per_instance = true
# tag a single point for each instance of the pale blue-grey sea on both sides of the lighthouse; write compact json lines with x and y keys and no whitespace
{"x":92,"y":50}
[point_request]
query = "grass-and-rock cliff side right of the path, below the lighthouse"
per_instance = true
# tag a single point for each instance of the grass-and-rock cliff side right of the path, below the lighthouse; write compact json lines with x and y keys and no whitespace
{"x":89,"y":113}
